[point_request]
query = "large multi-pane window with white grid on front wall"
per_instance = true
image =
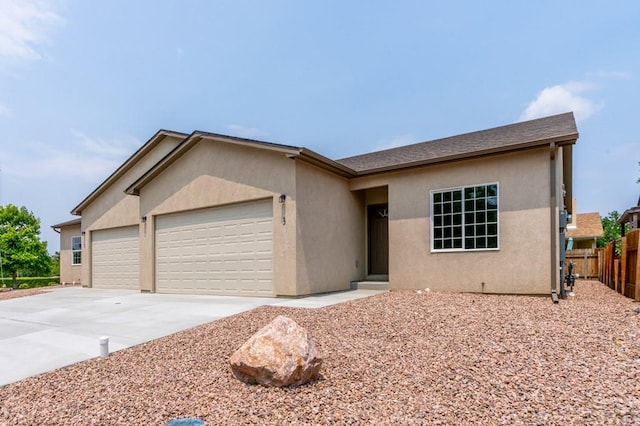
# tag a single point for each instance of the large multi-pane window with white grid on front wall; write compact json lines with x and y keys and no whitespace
{"x":465,"y":218}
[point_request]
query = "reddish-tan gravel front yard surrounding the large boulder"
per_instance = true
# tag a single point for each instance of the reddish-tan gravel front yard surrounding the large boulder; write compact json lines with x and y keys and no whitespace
{"x":396,"y":358}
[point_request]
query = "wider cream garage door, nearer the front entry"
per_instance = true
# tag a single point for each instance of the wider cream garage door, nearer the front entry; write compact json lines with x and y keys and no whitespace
{"x":223,"y":250}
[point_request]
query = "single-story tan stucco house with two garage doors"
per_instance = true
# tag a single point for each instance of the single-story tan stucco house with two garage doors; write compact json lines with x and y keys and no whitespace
{"x":205,"y":213}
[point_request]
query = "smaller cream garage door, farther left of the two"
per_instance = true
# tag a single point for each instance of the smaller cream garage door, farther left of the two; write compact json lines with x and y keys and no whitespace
{"x":115,"y":255}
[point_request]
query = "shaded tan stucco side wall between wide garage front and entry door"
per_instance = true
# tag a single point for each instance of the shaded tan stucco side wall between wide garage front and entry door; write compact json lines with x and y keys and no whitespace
{"x":330,"y":231}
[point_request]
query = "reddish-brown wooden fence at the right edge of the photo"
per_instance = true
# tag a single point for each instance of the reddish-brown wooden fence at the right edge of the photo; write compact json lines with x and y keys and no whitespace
{"x":621,"y":273}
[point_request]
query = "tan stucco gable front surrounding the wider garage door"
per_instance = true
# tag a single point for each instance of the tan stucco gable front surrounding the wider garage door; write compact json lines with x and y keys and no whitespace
{"x":215,"y":174}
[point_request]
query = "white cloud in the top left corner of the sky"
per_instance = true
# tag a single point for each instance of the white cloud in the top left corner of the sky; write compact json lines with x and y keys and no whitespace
{"x":24,"y":24}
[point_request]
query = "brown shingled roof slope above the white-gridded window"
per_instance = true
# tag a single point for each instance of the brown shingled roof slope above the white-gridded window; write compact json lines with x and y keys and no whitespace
{"x":558,"y":128}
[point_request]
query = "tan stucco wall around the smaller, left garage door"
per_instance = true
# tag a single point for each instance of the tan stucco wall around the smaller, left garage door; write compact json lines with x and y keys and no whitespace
{"x":113,"y":208}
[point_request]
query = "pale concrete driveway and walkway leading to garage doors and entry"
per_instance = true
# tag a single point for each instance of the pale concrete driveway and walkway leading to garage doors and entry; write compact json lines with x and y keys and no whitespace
{"x":63,"y":326}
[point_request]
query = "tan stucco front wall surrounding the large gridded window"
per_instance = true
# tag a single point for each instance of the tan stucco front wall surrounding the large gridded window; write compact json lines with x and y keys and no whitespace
{"x":522,"y":263}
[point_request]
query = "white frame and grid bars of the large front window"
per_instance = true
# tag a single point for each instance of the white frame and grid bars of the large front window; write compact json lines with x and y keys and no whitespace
{"x":463,"y":224}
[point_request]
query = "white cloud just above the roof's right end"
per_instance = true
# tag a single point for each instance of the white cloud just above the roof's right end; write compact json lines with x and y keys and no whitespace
{"x":562,"y":98}
